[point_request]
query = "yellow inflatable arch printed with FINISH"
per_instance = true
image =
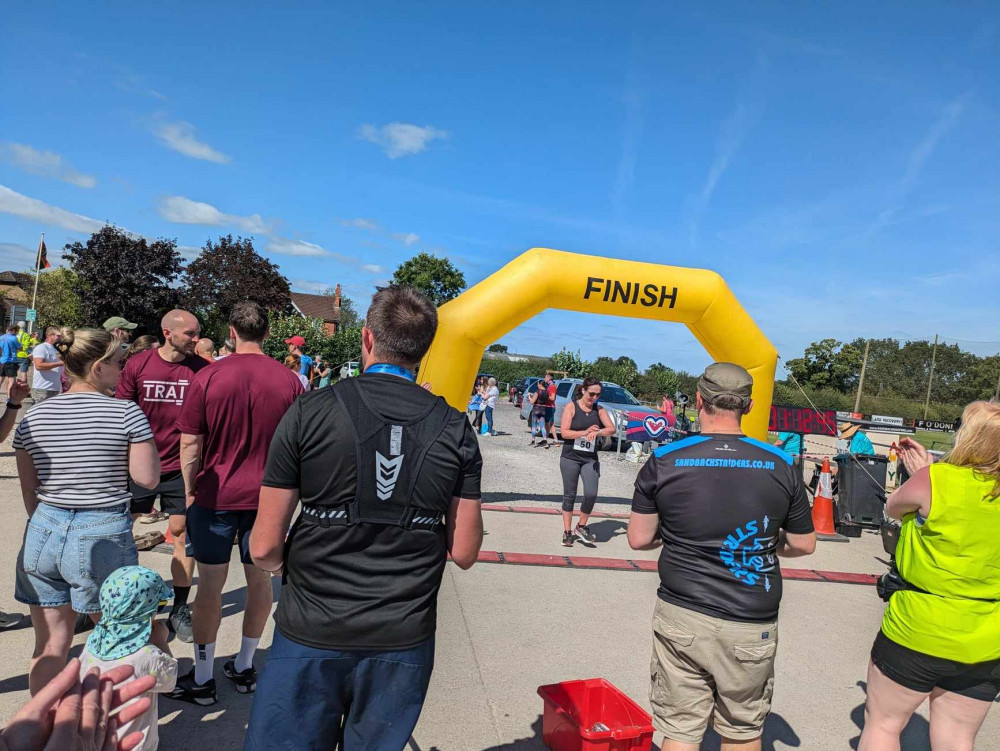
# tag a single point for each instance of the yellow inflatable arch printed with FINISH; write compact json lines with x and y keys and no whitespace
{"x":542,"y":278}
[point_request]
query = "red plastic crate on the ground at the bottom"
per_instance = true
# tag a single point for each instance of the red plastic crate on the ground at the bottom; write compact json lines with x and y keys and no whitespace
{"x":573,"y":707}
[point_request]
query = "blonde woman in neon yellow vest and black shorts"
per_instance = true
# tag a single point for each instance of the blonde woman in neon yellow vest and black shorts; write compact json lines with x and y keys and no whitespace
{"x":940,"y":634}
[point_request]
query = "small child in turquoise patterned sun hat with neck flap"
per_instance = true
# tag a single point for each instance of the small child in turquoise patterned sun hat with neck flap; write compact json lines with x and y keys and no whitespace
{"x":126,"y":635}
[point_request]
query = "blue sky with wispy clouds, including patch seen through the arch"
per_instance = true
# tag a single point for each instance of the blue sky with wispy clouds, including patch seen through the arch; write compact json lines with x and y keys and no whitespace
{"x":840,"y":167}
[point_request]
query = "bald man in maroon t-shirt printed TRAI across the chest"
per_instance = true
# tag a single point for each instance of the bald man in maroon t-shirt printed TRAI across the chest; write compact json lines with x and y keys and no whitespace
{"x":158,"y":380}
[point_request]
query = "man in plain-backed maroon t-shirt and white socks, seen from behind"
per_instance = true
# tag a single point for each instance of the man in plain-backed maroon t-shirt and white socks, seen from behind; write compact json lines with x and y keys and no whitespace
{"x":229,"y":417}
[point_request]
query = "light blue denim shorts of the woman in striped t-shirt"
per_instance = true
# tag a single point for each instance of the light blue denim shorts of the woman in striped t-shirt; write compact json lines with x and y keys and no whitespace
{"x":68,"y":553}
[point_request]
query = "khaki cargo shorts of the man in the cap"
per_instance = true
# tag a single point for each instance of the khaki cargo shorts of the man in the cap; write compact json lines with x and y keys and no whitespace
{"x":703,"y":665}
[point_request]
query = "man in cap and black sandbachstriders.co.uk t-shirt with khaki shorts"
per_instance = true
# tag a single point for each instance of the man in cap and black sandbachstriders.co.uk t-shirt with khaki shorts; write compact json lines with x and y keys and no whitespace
{"x":723,"y":506}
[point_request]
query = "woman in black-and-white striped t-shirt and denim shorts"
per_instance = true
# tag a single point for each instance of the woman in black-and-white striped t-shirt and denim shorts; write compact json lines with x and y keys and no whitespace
{"x":75,"y":453}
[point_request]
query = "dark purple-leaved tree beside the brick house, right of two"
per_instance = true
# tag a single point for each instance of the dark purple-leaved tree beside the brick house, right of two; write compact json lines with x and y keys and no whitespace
{"x":229,"y":271}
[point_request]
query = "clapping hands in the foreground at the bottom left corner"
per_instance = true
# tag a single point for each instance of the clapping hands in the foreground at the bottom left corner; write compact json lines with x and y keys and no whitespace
{"x":69,"y":716}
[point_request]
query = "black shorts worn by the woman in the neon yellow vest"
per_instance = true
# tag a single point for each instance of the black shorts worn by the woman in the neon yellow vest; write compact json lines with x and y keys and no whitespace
{"x":921,"y":672}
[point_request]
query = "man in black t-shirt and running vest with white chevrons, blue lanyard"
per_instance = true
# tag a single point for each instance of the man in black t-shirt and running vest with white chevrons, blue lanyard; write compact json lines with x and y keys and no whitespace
{"x":389,"y":479}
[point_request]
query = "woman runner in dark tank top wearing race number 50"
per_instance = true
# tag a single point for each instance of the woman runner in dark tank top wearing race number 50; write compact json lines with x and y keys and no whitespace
{"x":583,"y":422}
